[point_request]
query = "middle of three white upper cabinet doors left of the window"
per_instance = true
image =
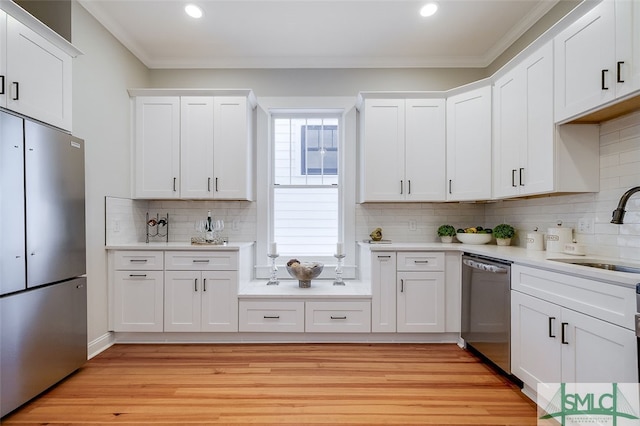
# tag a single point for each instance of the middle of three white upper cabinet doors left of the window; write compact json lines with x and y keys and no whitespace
{"x":196,"y":147}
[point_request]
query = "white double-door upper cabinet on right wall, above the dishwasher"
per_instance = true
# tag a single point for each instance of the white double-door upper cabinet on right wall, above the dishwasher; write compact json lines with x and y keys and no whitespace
{"x":523,"y":133}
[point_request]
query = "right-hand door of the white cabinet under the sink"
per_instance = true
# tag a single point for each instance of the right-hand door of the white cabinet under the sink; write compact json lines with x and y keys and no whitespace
{"x":595,"y":351}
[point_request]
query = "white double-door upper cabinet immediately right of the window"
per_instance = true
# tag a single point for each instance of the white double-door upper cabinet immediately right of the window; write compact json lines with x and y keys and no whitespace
{"x":402,"y":146}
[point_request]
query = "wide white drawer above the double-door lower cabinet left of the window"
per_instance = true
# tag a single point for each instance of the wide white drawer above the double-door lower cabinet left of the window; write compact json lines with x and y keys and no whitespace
{"x":201,"y":261}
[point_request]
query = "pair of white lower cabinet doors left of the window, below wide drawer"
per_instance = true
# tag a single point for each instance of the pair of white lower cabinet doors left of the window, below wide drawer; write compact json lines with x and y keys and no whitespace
{"x":200,"y":301}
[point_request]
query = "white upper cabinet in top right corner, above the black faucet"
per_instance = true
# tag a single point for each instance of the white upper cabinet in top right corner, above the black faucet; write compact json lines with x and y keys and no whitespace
{"x":596,"y":58}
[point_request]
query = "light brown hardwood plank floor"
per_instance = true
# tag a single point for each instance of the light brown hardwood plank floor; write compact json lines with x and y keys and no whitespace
{"x":281,"y":384}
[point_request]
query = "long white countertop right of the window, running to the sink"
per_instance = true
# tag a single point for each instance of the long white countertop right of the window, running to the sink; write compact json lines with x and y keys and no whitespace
{"x":522,"y":256}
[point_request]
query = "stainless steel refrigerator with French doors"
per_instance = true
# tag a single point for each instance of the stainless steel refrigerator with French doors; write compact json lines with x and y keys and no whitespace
{"x":43,"y":301}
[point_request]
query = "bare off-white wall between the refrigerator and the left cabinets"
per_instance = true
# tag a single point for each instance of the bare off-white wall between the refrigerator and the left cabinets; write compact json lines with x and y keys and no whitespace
{"x":101,"y":117}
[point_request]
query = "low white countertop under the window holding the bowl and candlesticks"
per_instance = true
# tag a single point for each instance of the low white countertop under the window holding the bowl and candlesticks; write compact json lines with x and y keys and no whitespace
{"x":319,"y":289}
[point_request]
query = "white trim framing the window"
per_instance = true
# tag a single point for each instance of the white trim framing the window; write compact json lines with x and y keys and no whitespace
{"x":347,"y":163}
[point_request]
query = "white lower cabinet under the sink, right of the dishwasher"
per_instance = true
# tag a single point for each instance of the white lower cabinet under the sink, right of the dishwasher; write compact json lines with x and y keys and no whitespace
{"x":552,"y":343}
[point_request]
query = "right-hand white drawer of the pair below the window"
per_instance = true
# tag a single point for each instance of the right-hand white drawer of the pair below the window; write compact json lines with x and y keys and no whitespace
{"x":338,"y":317}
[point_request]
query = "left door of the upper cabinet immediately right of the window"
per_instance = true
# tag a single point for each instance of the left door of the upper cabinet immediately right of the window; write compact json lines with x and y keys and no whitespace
{"x":382,"y":150}
